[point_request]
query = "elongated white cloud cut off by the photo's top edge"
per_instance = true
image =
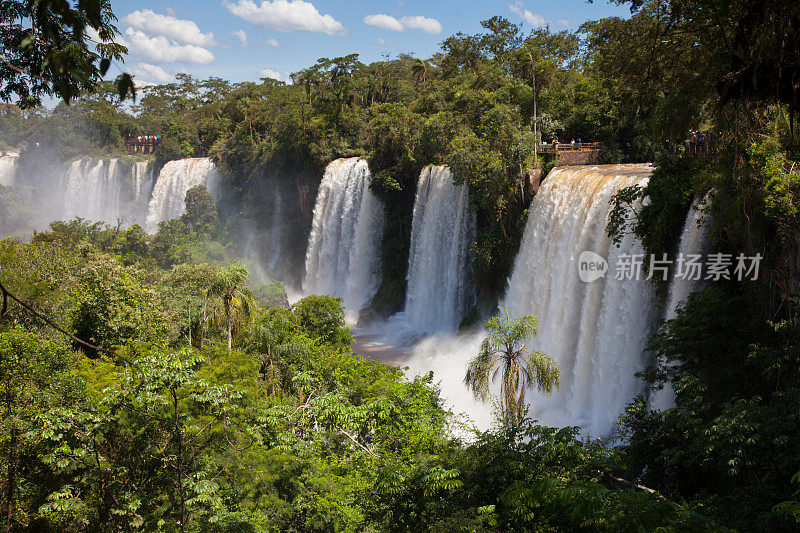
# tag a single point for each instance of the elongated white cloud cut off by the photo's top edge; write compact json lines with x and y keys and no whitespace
{"x":286,"y":15}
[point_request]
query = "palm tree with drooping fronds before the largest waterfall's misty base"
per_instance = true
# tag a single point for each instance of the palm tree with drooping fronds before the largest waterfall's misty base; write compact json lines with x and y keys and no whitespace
{"x":503,"y":351}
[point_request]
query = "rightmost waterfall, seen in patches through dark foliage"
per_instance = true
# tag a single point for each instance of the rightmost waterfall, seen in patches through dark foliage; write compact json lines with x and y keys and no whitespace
{"x":695,"y":239}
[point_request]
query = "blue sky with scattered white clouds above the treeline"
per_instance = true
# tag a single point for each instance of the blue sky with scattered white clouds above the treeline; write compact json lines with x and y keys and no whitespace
{"x":243,"y":40}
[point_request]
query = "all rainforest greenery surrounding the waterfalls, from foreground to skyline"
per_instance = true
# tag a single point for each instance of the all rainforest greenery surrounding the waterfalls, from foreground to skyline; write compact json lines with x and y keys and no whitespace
{"x":146,"y":383}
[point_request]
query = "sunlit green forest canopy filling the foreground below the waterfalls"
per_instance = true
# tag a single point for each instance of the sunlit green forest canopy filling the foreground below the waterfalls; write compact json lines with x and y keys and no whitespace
{"x":287,"y":431}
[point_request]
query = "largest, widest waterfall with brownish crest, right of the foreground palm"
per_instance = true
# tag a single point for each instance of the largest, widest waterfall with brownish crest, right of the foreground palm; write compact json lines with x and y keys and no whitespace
{"x":596,"y":331}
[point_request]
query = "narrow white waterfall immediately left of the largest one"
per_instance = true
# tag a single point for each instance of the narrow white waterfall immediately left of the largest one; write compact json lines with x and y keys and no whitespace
{"x":439,"y":293}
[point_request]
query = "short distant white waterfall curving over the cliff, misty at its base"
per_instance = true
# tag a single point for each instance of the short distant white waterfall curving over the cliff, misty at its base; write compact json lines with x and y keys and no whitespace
{"x":175,"y":178}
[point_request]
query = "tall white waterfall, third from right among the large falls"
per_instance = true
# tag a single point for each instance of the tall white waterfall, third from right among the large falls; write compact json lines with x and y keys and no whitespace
{"x":343,"y":248}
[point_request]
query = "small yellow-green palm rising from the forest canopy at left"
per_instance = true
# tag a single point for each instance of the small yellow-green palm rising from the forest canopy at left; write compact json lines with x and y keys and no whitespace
{"x":237,"y":303}
